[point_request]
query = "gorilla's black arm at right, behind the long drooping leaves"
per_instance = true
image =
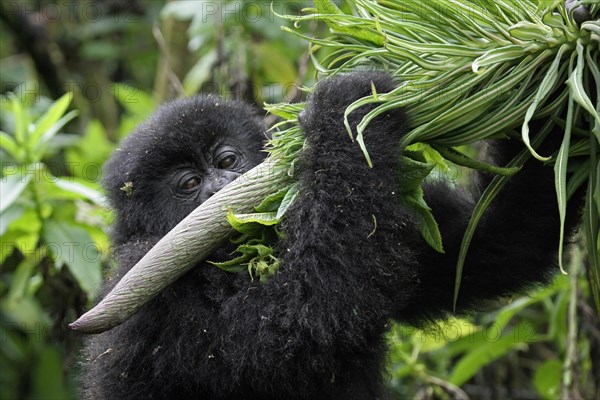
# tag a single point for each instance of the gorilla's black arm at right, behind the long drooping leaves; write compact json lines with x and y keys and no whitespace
{"x":515,"y":243}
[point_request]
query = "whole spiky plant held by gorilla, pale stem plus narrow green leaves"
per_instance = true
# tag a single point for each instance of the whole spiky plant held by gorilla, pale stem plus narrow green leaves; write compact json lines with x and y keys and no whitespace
{"x":471,"y":70}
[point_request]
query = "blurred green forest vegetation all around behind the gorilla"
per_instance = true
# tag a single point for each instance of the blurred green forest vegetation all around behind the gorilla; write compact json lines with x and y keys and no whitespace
{"x":110,"y":63}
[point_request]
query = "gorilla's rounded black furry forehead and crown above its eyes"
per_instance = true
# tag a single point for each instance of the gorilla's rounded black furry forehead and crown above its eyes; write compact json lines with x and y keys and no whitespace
{"x":183,"y":129}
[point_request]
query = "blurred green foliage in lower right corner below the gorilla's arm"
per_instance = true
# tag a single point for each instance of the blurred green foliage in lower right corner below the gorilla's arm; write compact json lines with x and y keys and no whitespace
{"x":527,"y":337}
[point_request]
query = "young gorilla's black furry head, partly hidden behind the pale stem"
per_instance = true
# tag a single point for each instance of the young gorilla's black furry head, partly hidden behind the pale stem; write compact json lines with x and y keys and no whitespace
{"x":186,"y":152}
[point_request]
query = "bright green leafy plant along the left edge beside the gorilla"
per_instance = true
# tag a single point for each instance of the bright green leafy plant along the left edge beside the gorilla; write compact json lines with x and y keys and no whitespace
{"x":53,"y":247}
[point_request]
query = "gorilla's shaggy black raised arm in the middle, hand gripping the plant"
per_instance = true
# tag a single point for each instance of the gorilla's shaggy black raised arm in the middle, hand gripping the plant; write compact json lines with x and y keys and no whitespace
{"x":318,"y":323}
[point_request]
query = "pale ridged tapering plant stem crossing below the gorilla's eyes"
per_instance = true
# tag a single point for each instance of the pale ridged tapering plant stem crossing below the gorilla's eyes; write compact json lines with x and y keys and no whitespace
{"x":192,"y":240}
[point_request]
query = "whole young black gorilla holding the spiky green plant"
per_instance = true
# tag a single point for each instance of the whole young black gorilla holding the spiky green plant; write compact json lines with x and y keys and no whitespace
{"x":315,"y":329}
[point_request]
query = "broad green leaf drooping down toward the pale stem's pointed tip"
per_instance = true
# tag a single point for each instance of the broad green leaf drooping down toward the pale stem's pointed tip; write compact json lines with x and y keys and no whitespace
{"x":73,"y":246}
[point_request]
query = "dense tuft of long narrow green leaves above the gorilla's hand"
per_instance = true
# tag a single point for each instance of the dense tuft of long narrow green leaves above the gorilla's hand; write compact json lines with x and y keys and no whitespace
{"x":473,"y":70}
